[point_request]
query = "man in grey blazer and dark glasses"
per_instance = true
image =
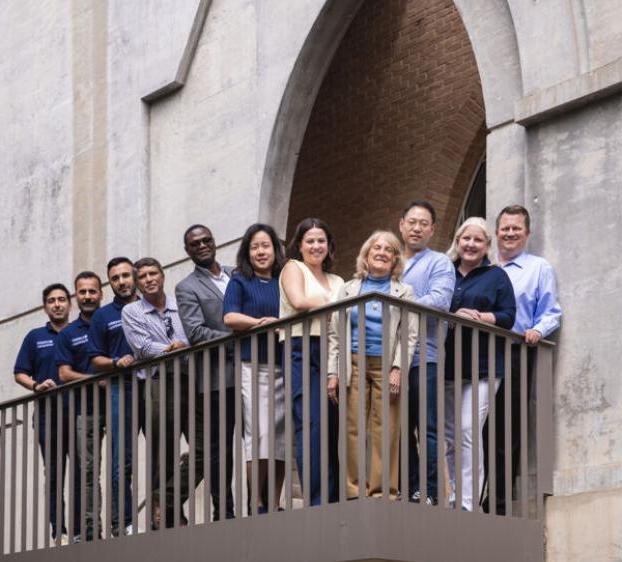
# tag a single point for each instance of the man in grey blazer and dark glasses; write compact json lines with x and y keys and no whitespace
{"x":199,"y":299}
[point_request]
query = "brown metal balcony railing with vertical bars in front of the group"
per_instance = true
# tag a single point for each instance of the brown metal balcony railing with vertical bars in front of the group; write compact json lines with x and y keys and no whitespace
{"x":25,"y":485}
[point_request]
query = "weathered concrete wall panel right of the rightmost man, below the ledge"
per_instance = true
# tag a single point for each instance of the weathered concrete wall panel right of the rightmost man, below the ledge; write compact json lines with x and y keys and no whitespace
{"x":574,"y":171}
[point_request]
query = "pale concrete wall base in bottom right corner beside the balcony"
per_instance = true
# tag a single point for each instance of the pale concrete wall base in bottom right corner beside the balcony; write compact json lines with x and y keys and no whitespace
{"x":585,"y":527}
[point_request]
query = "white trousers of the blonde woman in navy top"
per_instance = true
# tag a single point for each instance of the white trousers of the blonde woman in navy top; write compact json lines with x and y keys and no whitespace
{"x":466,"y":424}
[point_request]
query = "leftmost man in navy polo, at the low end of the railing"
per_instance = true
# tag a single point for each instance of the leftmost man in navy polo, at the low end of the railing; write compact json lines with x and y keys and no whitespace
{"x":35,"y":369}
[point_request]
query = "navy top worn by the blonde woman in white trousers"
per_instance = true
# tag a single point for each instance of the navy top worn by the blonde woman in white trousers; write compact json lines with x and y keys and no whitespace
{"x":487,"y":289}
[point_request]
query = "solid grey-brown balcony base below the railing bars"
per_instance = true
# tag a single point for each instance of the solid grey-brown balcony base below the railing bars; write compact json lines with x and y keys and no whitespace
{"x":367,"y":529}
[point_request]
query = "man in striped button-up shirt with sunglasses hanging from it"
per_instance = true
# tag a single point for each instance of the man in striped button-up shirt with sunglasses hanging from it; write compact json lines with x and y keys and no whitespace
{"x":153,"y":328}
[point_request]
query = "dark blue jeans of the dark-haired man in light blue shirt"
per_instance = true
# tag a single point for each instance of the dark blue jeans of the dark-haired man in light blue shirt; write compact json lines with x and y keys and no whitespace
{"x":432,"y":434}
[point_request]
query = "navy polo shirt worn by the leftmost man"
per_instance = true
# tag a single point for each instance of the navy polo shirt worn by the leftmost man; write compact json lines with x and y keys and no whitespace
{"x":36,"y":356}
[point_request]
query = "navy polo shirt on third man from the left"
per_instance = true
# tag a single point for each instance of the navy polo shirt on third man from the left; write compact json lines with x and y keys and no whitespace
{"x":106,"y":336}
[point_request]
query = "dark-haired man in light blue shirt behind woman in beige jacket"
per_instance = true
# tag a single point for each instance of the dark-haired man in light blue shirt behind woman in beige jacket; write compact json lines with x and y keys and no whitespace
{"x":432,"y":277}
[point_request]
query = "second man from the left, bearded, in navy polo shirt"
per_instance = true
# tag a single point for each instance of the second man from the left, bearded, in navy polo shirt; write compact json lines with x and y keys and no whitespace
{"x":72,"y":360}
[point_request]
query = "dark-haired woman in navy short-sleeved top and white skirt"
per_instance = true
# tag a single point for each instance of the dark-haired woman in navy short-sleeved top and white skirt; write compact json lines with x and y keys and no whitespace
{"x":251,"y":300}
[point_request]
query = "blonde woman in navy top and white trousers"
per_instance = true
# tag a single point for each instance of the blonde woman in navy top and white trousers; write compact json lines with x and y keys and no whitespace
{"x":484,"y":293}
